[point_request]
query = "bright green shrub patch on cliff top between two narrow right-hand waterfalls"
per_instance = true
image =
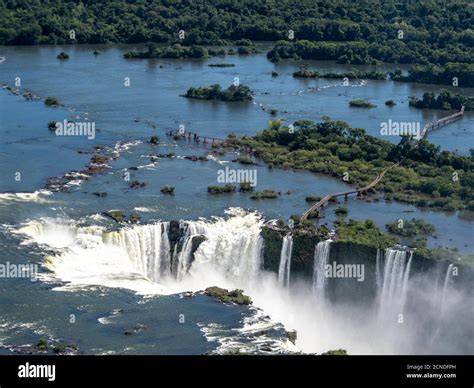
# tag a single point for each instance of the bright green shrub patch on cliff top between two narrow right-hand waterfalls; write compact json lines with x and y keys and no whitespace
{"x":363,"y":232}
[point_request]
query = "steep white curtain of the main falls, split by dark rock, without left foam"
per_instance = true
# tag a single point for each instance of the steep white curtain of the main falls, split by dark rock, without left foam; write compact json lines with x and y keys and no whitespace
{"x":232,"y":246}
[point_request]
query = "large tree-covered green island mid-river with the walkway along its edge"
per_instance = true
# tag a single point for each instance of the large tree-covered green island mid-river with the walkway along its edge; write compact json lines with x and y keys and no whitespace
{"x":425,"y":177}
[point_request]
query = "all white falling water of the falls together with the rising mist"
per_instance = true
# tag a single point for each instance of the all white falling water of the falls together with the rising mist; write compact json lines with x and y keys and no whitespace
{"x":230,"y":257}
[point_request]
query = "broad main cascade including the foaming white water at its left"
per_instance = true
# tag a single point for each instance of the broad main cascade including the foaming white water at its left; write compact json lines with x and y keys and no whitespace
{"x":150,"y":257}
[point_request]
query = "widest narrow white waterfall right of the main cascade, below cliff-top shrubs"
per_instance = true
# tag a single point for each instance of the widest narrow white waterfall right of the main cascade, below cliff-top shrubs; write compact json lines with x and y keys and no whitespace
{"x":394,"y":287}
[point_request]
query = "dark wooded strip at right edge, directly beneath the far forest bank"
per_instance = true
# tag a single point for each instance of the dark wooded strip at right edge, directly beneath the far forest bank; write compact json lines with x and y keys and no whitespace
{"x":442,"y":75}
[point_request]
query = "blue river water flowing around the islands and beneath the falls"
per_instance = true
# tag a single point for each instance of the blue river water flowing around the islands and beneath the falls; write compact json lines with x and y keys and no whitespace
{"x":92,"y":89}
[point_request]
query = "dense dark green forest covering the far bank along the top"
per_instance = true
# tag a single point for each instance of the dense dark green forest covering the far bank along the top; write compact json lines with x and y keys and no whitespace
{"x":431,"y":31}
